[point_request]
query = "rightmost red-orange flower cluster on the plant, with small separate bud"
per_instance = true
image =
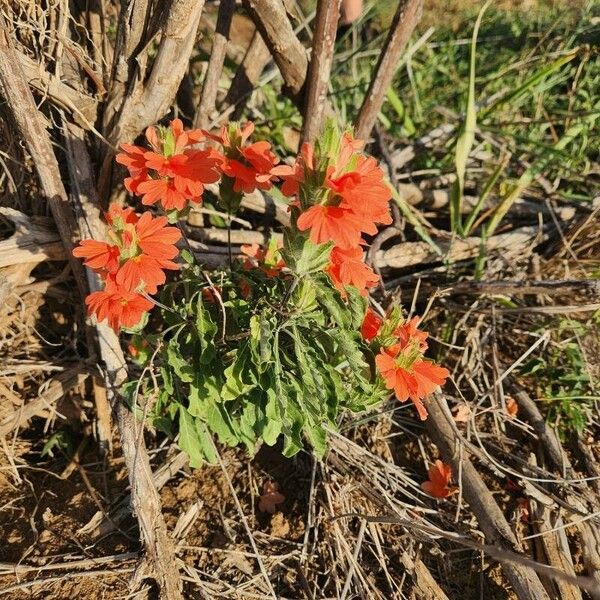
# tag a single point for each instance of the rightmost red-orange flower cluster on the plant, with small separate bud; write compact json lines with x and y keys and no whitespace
{"x":401,"y":361}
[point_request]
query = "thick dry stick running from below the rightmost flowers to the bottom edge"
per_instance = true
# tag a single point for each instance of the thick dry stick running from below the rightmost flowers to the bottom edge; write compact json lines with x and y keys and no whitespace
{"x":496,"y":529}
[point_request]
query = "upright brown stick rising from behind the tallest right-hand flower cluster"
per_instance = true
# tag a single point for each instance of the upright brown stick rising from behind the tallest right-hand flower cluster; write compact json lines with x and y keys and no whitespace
{"x":328,"y":14}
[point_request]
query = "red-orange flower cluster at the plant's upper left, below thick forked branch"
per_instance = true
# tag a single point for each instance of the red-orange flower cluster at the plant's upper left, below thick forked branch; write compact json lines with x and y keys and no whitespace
{"x":173,"y":172}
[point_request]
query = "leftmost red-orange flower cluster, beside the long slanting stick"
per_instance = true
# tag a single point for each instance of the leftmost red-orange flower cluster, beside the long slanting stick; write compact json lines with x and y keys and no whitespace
{"x":132,"y":263}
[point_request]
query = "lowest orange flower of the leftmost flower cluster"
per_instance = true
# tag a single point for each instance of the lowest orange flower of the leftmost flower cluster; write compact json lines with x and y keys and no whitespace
{"x":120,"y":307}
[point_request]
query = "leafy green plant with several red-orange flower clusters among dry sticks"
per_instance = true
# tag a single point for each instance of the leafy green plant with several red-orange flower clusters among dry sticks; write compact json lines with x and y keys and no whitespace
{"x":283,"y":340}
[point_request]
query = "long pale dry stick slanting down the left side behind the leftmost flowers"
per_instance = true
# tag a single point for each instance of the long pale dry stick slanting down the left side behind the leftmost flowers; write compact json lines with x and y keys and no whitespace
{"x":146,"y":502}
